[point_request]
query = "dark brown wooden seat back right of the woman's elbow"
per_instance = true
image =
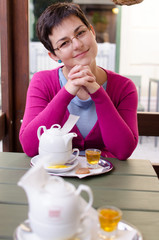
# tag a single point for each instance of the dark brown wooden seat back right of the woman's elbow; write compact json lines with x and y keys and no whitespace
{"x":148,"y":124}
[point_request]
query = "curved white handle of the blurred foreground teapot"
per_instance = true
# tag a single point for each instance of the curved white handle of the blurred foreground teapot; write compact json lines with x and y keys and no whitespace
{"x":90,"y":195}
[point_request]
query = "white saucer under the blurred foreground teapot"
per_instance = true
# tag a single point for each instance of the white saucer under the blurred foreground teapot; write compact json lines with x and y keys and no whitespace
{"x":84,"y":234}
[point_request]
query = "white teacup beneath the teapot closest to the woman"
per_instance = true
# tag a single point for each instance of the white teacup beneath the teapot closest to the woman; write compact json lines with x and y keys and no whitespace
{"x":54,"y":158}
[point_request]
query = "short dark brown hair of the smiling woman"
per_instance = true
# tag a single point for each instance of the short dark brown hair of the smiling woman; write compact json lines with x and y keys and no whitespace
{"x":53,"y":16}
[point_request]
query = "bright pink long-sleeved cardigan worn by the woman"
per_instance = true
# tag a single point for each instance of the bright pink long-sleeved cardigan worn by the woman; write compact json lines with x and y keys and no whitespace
{"x":115,"y":132}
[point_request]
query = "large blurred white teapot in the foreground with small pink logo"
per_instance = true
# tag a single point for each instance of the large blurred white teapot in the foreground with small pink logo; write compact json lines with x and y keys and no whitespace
{"x":55,"y":211}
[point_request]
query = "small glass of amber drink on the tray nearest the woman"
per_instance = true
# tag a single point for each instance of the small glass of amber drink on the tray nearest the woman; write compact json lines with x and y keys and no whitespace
{"x":92,"y":156}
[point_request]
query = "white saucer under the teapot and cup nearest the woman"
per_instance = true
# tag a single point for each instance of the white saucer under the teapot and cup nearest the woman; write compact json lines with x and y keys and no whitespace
{"x":69,"y":167}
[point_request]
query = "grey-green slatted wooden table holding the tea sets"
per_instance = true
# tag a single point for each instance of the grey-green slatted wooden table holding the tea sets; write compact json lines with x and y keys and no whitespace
{"x":132,"y":186}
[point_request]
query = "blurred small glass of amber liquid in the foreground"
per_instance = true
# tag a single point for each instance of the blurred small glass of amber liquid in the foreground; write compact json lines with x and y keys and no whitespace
{"x":109,"y":217}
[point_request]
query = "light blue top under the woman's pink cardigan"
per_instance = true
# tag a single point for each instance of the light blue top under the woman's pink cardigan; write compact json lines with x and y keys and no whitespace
{"x":83,"y":108}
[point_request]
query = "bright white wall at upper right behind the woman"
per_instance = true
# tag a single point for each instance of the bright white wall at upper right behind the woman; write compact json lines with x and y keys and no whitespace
{"x":139,"y":48}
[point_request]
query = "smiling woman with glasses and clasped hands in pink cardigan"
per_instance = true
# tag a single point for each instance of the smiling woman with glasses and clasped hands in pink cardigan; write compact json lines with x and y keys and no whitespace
{"x":105,"y":101}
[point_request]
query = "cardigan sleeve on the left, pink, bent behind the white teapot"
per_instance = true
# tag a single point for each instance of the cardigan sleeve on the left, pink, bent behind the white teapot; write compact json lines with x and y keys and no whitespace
{"x":42,"y":108}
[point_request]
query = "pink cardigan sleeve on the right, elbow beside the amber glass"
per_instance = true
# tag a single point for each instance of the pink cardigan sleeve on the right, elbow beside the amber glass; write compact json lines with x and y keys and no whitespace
{"x":118,"y":124}
